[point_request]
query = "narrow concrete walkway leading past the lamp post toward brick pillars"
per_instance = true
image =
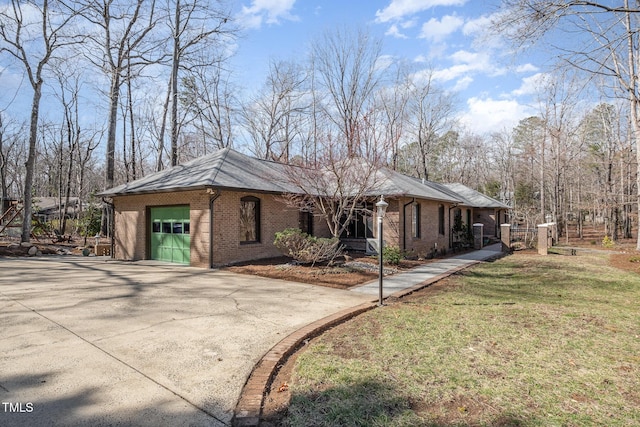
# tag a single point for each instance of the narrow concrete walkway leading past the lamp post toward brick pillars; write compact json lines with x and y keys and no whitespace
{"x":398,"y":283}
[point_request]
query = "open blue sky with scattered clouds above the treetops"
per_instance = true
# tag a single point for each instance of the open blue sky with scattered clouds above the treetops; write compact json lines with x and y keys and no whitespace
{"x":494,"y":87}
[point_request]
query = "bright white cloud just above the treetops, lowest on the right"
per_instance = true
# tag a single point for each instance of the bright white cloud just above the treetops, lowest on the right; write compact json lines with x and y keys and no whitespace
{"x":490,"y":115}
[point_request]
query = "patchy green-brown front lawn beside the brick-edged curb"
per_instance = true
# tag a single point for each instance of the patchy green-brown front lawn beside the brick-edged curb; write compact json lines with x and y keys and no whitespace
{"x":523,"y":341}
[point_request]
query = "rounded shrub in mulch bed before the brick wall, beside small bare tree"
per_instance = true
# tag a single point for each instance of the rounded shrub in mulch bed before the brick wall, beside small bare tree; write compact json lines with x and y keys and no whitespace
{"x":307,"y":249}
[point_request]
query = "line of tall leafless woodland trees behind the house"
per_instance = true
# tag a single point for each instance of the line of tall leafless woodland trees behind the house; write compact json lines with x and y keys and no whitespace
{"x":159,"y":73}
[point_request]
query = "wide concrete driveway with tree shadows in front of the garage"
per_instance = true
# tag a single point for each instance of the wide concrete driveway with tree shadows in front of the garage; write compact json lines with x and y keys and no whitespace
{"x":91,"y":341}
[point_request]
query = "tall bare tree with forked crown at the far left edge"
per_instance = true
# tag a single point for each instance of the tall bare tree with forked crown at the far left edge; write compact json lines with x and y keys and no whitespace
{"x":22,"y":25}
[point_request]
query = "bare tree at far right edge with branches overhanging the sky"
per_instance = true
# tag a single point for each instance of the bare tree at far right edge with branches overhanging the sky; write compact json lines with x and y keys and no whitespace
{"x":610,"y":46}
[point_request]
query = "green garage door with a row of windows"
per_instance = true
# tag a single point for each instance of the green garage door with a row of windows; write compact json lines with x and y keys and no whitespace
{"x":170,"y":240}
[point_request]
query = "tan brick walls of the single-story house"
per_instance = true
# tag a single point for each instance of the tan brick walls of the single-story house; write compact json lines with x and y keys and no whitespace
{"x":131,"y":240}
